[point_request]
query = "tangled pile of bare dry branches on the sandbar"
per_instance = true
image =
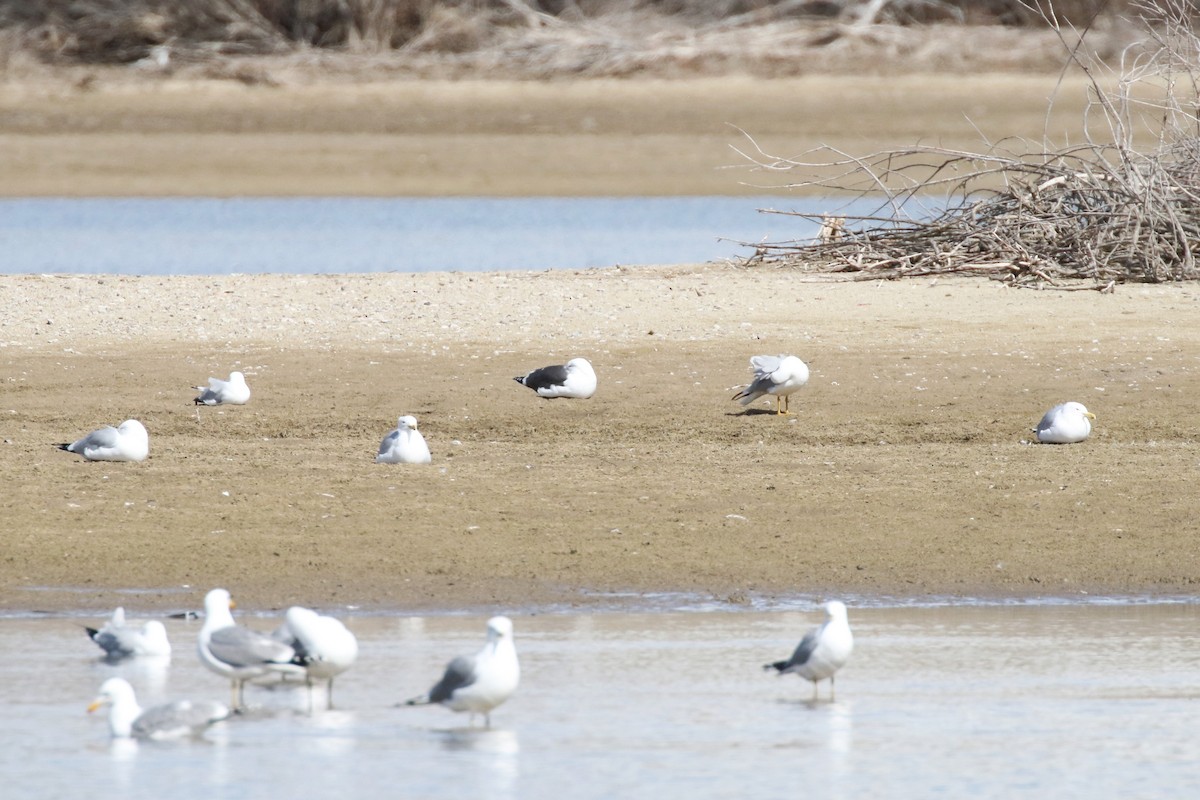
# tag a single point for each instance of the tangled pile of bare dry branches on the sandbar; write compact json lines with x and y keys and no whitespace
{"x":1124,"y":210}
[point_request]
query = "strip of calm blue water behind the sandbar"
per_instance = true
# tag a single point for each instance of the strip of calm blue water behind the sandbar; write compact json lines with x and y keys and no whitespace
{"x":338,"y":236}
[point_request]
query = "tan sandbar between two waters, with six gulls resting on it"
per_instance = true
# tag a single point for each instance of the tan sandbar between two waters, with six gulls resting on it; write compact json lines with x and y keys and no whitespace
{"x":904,"y":472}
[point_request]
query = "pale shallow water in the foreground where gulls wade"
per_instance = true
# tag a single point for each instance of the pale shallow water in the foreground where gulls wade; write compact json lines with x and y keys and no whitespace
{"x":1055,"y":701}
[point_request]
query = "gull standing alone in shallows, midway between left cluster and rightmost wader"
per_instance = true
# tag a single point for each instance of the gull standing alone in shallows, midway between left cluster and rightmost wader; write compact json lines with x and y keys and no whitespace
{"x":481,"y":683}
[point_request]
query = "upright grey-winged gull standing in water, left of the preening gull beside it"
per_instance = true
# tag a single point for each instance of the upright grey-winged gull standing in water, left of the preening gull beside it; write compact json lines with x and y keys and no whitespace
{"x":238,"y":653}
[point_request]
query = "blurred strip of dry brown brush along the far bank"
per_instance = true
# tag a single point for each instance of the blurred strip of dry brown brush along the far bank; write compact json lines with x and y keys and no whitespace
{"x":539,"y":39}
